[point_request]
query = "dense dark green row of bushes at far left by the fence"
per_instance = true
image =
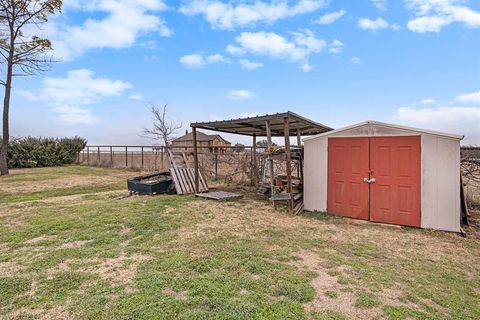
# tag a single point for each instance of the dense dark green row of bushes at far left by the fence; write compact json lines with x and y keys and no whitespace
{"x":31,"y":152}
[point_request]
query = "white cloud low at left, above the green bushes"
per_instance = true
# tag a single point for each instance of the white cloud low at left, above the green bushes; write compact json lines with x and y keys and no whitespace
{"x":79,"y":88}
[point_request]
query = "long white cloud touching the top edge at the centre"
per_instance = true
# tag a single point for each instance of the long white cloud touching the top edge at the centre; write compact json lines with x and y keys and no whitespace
{"x":229,"y":16}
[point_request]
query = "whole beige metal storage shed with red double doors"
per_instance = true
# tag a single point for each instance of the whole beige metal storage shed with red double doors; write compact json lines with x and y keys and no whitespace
{"x":385,"y":173}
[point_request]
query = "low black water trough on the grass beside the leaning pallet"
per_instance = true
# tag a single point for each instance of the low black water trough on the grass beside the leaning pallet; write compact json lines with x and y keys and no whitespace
{"x":156,"y":183}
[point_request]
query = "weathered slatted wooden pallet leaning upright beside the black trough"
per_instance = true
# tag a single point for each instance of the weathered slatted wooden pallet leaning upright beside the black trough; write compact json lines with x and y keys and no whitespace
{"x":184,"y":176}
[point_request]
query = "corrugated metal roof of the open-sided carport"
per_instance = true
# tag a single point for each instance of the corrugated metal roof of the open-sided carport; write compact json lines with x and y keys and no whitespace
{"x":256,"y":125}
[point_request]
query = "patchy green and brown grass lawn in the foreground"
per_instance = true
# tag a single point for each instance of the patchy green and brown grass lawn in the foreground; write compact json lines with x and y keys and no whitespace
{"x":73,"y":246}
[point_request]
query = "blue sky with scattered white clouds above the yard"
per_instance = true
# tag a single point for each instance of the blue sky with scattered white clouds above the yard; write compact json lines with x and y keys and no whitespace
{"x":412,"y":62}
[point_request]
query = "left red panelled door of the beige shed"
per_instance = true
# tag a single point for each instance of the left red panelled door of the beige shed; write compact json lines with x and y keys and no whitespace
{"x":348,"y":164}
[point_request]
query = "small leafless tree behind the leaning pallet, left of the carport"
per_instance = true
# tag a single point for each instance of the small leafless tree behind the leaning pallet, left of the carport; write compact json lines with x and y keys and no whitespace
{"x":163,"y":129}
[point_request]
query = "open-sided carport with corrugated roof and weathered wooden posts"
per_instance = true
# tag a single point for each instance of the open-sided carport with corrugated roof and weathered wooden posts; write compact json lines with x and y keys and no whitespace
{"x":287,"y":124}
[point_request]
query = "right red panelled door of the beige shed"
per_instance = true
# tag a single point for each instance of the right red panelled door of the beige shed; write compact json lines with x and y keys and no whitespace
{"x":395,"y":166}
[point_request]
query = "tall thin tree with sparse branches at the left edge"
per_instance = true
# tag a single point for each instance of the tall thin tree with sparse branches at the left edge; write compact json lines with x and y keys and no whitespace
{"x":22,"y":54}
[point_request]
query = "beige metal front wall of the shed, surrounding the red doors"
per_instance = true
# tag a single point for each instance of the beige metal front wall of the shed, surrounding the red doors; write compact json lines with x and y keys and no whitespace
{"x":440,"y":178}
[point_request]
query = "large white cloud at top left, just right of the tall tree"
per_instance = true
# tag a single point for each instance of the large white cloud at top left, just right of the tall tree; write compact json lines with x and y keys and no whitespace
{"x":122,"y":22}
